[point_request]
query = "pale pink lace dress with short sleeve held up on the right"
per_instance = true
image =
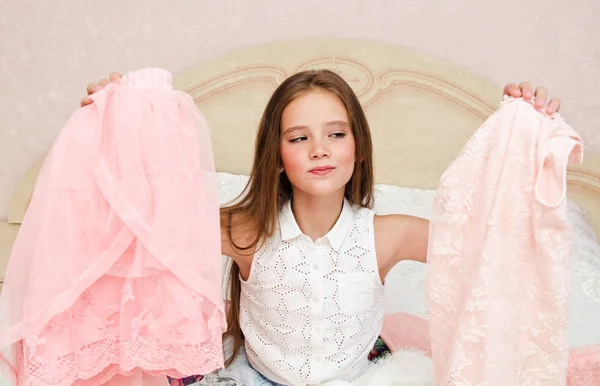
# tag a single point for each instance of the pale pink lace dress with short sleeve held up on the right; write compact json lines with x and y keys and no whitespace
{"x":499,"y":253}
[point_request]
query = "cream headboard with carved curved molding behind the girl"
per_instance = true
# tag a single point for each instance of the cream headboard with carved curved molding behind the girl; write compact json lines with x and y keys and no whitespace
{"x":421,"y":110}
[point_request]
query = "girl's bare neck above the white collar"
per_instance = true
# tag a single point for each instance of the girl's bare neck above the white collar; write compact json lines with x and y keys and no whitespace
{"x":317,"y":215}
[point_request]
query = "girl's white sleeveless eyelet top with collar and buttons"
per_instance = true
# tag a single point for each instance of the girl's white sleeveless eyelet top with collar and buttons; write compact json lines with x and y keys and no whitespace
{"x":311,"y":312}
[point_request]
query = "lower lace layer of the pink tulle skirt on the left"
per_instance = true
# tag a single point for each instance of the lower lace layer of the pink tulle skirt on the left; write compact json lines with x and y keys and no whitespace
{"x":95,"y":339}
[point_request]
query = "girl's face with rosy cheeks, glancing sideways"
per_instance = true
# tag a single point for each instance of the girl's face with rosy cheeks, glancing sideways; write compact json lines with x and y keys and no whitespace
{"x":317,"y":145}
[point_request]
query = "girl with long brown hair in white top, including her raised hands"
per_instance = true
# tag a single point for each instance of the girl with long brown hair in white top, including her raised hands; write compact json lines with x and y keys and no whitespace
{"x":309,"y":255}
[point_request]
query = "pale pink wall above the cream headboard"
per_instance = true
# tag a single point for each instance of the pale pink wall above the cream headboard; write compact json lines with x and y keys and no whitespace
{"x":50,"y":50}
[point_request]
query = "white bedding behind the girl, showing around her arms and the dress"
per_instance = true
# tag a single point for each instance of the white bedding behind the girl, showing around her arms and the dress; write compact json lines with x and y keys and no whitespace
{"x":404,"y":288}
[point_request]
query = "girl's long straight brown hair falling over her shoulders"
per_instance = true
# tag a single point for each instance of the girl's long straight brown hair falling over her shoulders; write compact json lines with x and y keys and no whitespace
{"x":268,"y":189}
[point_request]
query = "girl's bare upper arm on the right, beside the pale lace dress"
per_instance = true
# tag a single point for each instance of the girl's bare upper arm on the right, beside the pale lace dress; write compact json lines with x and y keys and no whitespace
{"x":400,"y":237}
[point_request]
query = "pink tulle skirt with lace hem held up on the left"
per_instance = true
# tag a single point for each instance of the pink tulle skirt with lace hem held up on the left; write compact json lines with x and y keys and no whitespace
{"x":117,"y":264}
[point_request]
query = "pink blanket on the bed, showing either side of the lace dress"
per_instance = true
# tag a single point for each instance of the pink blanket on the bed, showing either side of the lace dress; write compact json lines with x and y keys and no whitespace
{"x":402,"y":331}
